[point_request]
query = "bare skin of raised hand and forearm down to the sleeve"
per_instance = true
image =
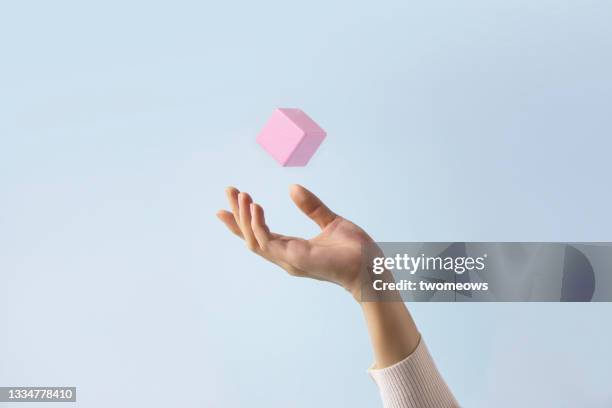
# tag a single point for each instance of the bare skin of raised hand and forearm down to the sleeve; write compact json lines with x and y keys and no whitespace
{"x":334,"y":255}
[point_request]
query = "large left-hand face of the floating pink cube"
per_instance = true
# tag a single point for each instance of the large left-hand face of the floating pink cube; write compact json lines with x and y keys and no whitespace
{"x":280,"y":137}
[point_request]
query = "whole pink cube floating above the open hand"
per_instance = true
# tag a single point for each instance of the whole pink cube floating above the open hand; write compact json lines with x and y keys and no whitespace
{"x":291,"y":137}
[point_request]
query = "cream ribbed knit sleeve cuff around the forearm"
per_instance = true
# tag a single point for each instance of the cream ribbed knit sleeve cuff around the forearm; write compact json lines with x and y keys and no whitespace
{"x":413,"y":383}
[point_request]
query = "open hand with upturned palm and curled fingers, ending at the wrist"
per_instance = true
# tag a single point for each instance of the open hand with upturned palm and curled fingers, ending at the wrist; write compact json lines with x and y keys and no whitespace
{"x":335,"y":255}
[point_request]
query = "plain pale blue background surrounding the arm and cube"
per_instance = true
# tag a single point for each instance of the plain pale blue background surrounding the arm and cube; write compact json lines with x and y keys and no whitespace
{"x":122,"y":121}
